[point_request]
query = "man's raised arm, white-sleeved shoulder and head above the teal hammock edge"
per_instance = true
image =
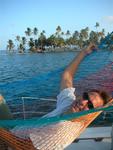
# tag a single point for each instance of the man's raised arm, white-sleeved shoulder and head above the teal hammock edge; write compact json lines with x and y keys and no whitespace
{"x":66,"y":100}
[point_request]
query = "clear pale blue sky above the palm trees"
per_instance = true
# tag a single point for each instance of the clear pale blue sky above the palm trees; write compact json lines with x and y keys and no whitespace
{"x":17,"y":15}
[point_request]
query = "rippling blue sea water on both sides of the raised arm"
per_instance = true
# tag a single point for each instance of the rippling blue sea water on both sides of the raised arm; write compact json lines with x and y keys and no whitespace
{"x":39,"y":74}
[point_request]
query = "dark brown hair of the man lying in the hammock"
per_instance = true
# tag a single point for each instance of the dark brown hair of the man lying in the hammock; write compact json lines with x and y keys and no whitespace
{"x":103,"y":94}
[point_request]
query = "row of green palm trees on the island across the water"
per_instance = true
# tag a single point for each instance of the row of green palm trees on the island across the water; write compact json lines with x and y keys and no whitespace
{"x":38,"y":42}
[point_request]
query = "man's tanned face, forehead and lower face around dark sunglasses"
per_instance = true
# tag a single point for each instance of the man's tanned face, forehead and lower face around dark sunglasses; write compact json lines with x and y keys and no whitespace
{"x":94,"y":99}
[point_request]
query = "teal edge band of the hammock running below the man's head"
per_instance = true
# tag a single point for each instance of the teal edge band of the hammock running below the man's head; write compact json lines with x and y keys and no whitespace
{"x":37,"y":122}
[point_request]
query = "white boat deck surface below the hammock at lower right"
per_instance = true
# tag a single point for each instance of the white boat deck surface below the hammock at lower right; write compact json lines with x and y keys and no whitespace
{"x":87,"y":142}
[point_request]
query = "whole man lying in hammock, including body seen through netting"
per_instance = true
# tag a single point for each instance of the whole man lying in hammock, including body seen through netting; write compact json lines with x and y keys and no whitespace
{"x":61,"y":134}
